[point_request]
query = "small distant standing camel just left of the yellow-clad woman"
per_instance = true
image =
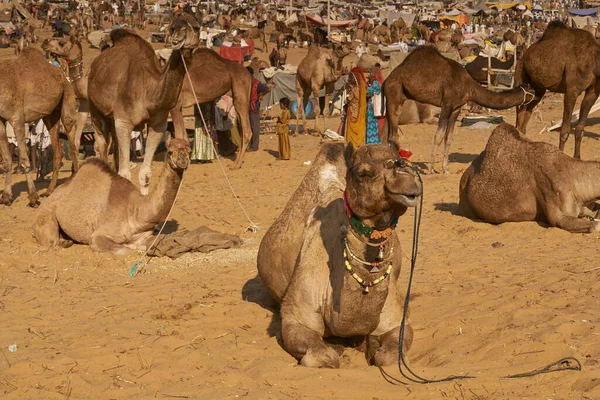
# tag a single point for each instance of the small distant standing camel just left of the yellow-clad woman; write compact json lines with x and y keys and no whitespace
{"x":317,"y":69}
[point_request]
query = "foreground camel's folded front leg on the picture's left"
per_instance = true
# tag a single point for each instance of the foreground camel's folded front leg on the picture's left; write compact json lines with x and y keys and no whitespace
{"x":307,"y":345}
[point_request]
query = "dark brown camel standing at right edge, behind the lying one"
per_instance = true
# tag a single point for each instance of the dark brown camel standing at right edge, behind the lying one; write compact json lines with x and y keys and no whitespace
{"x":565,"y":60}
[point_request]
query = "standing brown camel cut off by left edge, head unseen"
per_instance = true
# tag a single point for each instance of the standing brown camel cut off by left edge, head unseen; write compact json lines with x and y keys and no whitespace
{"x":32,"y":89}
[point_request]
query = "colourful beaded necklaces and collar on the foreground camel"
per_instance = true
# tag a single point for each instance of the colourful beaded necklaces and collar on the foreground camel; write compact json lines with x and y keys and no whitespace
{"x":360,"y":229}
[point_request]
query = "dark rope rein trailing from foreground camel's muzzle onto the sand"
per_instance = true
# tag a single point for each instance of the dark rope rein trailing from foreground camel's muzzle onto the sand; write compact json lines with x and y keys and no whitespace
{"x":567,"y":363}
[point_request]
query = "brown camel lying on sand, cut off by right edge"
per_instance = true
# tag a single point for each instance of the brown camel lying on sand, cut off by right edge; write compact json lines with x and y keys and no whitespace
{"x":516,"y":179}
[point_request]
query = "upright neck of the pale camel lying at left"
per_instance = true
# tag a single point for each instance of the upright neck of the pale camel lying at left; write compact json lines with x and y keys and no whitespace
{"x":155,"y":207}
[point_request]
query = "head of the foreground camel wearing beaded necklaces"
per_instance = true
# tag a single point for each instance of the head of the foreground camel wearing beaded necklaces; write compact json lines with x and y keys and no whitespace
{"x":380,"y":186}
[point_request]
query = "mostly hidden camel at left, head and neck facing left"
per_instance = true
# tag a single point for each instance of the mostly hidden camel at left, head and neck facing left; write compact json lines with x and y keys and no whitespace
{"x":71,"y":51}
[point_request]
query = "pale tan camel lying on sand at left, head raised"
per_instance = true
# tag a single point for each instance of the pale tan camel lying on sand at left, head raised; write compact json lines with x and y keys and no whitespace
{"x":99,"y":208}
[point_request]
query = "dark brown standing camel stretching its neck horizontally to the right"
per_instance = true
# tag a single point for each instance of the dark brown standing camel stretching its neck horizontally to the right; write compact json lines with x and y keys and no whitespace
{"x":428,"y":77}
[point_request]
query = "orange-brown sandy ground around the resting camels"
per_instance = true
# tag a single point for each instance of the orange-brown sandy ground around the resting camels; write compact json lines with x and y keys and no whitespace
{"x":490,"y":300}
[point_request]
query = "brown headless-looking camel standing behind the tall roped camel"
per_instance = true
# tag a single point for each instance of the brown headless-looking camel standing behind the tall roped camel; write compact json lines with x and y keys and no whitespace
{"x":225,"y":76}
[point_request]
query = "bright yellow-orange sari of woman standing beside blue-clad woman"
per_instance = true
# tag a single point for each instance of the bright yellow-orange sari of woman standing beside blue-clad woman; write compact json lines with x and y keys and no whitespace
{"x":356,"y":116}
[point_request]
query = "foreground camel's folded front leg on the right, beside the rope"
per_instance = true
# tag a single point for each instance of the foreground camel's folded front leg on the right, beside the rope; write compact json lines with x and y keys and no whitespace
{"x":383,"y":350}
